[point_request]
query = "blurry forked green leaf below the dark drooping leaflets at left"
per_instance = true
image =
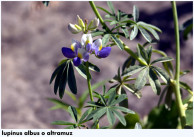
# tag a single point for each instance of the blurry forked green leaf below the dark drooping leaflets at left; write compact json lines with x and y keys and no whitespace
{"x":59,"y":104}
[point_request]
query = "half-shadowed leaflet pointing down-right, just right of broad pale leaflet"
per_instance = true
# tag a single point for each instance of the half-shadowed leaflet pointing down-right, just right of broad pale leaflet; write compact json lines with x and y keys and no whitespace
{"x":154,"y":82}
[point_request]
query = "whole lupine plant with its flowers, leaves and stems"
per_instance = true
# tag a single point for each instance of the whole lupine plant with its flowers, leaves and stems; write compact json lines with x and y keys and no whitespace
{"x":139,"y":70}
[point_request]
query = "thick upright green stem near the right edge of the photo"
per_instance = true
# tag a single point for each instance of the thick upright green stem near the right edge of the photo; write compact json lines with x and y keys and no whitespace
{"x":177,"y":73}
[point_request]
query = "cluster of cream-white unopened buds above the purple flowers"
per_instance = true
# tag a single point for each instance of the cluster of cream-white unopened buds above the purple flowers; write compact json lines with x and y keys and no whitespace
{"x":81,"y":26}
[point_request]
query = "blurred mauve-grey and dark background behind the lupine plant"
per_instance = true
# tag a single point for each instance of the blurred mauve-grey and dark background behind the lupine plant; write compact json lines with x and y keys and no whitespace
{"x":32,"y":38}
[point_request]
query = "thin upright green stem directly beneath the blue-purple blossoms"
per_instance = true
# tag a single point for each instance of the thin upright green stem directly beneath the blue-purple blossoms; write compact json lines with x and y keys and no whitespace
{"x":89,"y":86}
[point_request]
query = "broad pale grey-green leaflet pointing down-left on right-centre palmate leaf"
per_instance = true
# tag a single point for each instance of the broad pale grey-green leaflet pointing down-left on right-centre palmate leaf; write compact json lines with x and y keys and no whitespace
{"x":141,"y":79}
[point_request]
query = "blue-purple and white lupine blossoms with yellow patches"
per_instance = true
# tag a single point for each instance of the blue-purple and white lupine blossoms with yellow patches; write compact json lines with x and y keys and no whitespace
{"x":80,"y":51}
